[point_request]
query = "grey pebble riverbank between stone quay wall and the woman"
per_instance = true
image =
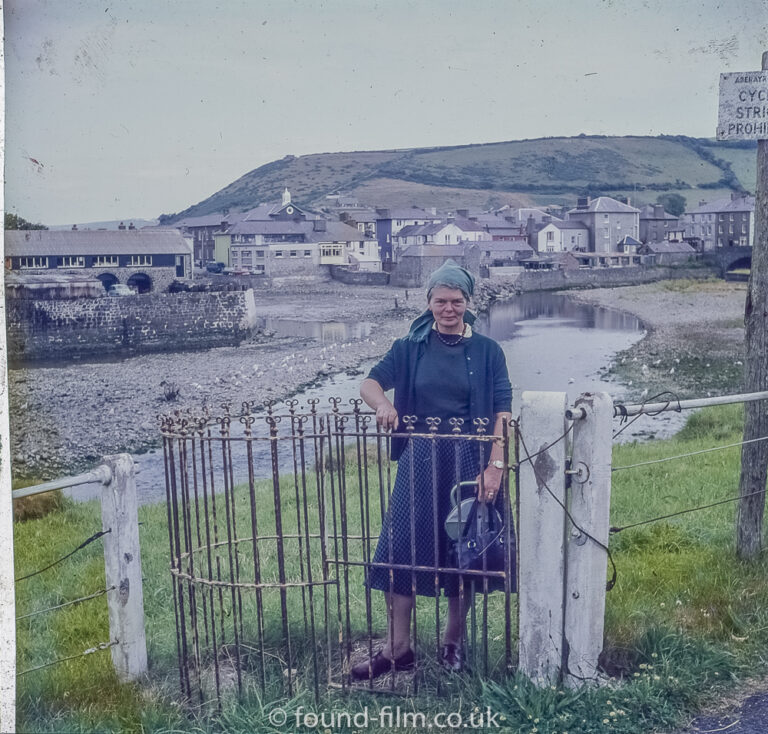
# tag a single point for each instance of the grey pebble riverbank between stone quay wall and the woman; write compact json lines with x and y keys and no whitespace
{"x":64,"y":419}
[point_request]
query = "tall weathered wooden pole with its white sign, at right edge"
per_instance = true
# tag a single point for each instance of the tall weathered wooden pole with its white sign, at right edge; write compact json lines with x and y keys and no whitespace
{"x":746,"y":117}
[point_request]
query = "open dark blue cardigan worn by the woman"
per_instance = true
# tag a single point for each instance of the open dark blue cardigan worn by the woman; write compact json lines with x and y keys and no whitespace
{"x":489,"y":389}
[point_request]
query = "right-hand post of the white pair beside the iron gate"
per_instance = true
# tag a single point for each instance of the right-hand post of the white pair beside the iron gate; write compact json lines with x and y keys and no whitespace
{"x":590,"y":498}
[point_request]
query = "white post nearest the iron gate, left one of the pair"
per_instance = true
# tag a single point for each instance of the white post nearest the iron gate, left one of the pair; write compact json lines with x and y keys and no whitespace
{"x":541,"y":534}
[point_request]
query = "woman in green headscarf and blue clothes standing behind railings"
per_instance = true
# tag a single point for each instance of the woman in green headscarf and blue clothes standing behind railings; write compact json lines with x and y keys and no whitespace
{"x":441,"y":369}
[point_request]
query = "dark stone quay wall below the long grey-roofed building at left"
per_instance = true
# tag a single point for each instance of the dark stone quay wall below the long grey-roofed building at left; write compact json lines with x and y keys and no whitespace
{"x":60,"y":330}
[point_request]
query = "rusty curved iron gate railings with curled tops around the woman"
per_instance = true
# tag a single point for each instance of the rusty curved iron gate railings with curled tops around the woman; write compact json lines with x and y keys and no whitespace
{"x":272,"y":517}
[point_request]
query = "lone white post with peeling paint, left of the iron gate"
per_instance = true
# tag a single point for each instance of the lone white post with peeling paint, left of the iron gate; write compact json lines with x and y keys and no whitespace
{"x":122,"y":565}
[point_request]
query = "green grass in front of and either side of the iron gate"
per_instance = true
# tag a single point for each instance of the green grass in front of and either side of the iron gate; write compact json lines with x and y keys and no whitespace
{"x":684,"y":622}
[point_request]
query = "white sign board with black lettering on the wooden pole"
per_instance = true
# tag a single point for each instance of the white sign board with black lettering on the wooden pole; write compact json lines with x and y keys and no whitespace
{"x":743,"y":106}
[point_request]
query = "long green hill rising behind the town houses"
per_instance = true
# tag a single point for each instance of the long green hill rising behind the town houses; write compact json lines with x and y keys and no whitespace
{"x":544,"y":170}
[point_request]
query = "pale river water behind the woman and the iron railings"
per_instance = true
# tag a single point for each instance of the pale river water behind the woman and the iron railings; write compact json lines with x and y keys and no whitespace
{"x":551,"y":343}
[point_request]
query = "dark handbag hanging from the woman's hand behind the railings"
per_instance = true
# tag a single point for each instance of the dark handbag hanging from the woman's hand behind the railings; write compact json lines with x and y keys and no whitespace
{"x":481,"y":545}
